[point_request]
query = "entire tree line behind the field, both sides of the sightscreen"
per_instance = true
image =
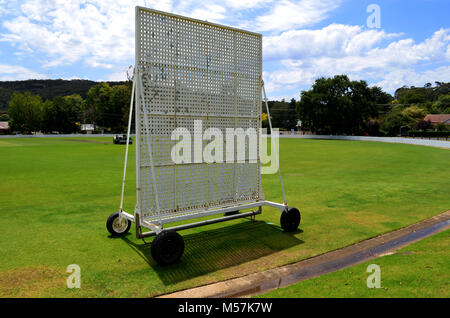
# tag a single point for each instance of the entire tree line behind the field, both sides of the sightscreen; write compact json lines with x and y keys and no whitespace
{"x":334,"y":105}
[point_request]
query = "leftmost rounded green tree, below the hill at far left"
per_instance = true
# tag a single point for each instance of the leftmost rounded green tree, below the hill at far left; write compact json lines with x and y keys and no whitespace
{"x":25,"y":112}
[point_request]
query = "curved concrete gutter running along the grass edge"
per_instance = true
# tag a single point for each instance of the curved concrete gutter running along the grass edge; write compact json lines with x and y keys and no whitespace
{"x":265,"y":281}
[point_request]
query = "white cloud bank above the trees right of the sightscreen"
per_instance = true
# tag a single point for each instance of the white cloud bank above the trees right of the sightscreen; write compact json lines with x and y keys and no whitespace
{"x":354,"y":52}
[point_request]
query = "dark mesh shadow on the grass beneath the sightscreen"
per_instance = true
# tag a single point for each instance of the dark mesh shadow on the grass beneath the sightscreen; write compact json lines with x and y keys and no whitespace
{"x":211,"y":250}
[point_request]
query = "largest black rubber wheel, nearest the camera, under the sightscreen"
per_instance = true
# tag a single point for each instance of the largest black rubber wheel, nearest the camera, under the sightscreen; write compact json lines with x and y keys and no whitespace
{"x":167,"y":247}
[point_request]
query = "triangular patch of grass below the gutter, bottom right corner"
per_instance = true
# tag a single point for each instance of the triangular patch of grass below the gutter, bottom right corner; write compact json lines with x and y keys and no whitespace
{"x":418,"y":270}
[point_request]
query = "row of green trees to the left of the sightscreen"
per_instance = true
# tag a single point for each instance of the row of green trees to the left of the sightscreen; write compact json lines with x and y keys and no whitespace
{"x":104,"y":106}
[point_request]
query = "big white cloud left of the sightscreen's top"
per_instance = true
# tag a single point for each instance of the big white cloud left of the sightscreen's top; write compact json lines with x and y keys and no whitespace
{"x":99,"y":32}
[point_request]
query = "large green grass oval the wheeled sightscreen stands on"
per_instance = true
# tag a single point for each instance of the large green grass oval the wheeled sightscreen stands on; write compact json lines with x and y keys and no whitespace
{"x":56,"y":193}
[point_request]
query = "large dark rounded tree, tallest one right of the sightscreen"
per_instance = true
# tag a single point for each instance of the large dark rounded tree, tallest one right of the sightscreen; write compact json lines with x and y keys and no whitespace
{"x":337,"y":105}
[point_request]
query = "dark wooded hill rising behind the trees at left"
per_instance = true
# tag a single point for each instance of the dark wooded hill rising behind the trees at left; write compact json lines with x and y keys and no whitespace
{"x":47,"y":89}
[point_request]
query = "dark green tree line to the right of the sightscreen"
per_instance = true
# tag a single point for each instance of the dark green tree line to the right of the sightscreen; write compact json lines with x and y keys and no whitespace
{"x":338,"y":105}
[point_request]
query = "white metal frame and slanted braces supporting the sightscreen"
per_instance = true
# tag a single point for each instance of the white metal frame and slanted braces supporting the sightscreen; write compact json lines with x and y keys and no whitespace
{"x":155,"y":223}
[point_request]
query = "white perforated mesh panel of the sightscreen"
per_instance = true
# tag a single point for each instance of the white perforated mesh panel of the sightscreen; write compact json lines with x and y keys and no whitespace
{"x":194,"y":70}
